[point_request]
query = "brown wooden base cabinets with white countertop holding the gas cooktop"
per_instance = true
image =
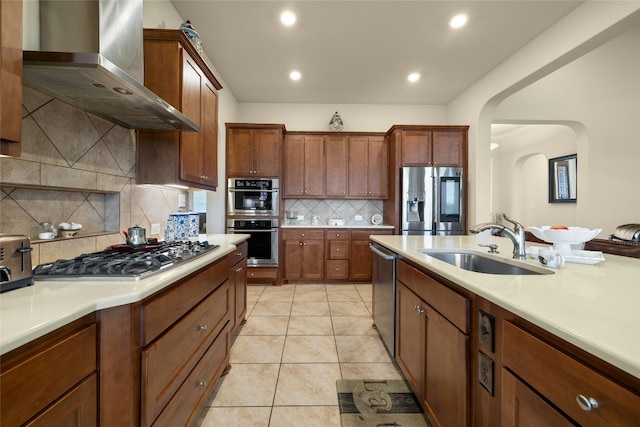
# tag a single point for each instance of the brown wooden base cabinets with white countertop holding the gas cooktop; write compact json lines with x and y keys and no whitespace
{"x":123,"y":352}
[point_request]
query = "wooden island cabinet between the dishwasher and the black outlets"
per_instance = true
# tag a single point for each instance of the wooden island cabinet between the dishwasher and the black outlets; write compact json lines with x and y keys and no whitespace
{"x":433,"y":345}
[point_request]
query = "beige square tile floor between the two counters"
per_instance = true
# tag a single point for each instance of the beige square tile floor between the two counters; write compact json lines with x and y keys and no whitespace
{"x":297,"y":341}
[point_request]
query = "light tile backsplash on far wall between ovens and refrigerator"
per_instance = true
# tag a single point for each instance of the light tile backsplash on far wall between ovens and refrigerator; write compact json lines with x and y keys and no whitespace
{"x":334,"y":209}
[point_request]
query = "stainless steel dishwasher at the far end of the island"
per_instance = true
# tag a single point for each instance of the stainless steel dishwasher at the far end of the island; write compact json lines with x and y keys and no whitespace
{"x":384,"y":295}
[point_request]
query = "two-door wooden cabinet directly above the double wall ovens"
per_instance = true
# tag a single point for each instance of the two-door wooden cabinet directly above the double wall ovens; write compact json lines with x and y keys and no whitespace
{"x":254,"y":150}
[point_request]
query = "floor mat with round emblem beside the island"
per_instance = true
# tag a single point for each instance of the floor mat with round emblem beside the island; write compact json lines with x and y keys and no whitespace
{"x":365,"y":403}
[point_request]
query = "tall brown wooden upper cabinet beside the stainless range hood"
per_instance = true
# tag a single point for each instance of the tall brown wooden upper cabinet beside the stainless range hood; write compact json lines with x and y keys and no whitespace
{"x":174,"y":70}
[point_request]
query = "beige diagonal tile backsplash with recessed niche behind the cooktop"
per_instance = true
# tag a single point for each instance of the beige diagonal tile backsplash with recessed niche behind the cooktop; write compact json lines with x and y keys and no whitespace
{"x":76,"y":167}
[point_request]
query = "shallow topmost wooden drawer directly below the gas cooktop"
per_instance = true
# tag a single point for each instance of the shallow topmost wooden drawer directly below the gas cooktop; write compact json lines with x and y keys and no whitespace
{"x":164,"y":310}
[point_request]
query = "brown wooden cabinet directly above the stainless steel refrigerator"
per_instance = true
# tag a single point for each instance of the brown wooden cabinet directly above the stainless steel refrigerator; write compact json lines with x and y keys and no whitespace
{"x":431,"y":145}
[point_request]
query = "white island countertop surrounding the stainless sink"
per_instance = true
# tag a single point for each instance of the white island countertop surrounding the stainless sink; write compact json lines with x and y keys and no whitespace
{"x":595,"y":307}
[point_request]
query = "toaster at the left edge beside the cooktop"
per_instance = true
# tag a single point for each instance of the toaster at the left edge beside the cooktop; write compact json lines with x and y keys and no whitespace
{"x":15,"y":262}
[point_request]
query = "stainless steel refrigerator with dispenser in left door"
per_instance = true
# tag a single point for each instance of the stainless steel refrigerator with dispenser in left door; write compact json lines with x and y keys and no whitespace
{"x":432,"y":200}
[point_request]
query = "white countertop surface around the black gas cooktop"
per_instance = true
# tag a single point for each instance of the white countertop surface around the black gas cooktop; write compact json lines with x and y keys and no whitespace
{"x":33,"y":311}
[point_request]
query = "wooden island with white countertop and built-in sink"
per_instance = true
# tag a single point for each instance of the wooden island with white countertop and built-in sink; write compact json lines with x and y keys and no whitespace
{"x":550,"y":334}
